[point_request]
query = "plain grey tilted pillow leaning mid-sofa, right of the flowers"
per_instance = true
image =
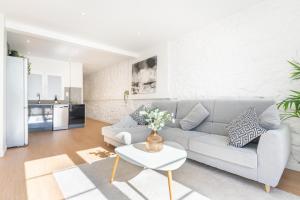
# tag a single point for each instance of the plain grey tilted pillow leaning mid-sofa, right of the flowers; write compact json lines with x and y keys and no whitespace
{"x":194,"y":117}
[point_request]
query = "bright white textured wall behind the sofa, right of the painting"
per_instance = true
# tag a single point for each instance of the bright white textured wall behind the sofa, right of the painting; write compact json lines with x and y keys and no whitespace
{"x":242,"y":55}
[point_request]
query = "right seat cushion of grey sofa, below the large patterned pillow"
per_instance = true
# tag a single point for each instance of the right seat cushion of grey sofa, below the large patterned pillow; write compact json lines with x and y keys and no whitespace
{"x":216,"y":146}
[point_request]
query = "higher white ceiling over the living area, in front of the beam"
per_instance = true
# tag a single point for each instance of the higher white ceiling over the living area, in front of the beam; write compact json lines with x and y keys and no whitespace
{"x":131,"y":25}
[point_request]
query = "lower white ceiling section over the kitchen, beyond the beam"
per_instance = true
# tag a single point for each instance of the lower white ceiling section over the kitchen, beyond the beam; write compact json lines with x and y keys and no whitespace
{"x":92,"y":59}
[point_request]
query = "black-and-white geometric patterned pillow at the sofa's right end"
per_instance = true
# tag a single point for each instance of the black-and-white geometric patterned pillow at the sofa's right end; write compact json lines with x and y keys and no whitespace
{"x":244,"y":128}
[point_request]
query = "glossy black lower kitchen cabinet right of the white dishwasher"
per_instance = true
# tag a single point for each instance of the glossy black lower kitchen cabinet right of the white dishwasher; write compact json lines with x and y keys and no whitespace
{"x":77,"y":115}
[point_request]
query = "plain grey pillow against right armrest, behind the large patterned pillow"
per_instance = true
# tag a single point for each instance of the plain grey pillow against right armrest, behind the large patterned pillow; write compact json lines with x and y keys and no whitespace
{"x":270,"y":118}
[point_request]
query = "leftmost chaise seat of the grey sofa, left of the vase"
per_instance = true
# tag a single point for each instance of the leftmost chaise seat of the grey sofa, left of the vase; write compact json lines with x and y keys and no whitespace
{"x":126,"y":135}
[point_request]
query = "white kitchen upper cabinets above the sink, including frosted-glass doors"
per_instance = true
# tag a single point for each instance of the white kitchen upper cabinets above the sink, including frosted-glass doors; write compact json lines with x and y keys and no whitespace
{"x":50,"y":77}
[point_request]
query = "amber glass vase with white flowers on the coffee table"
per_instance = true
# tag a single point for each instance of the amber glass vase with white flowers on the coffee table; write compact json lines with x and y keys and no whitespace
{"x":156,"y":120}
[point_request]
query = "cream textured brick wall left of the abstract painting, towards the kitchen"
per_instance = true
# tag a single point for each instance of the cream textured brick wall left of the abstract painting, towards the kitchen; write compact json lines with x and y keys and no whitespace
{"x":103,"y":93}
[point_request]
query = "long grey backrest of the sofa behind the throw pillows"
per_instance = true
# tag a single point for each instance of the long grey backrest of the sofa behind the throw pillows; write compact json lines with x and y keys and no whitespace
{"x":221,"y":111}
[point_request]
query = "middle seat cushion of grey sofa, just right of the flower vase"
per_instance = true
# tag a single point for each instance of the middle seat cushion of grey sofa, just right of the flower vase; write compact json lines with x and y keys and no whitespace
{"x":178,"y":135}
